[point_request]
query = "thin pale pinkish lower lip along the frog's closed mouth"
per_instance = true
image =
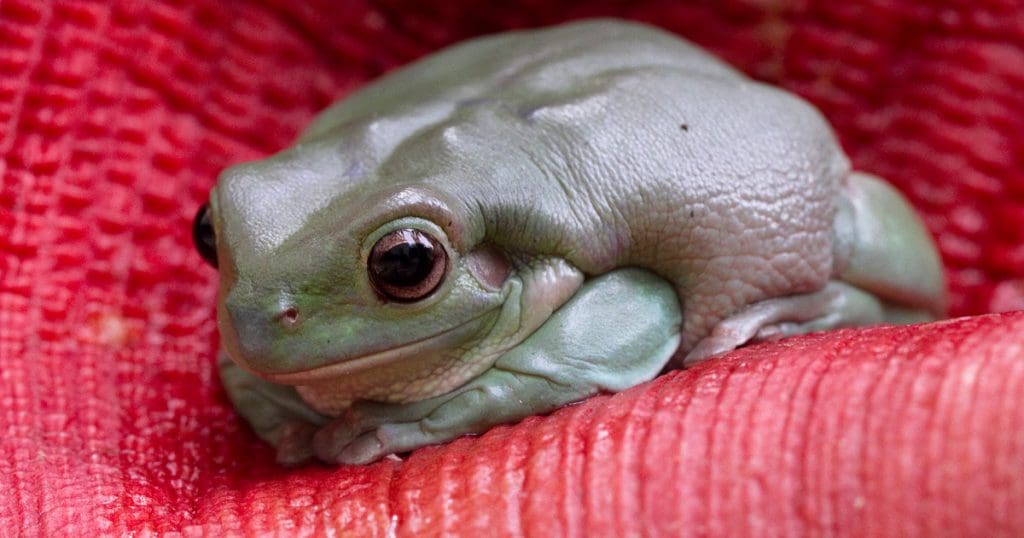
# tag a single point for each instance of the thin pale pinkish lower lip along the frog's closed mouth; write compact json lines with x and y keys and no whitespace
{"x":450,"y":340}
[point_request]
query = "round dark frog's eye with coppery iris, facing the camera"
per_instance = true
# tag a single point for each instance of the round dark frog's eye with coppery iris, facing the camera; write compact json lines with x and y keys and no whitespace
{"x":407,"y":265}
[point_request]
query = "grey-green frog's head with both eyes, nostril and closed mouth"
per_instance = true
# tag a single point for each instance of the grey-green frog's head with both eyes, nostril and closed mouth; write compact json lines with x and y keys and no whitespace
{"x":323,"y":276}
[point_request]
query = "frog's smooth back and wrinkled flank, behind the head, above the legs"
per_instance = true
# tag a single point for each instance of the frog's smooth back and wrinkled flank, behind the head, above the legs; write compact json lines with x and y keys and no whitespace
{"x":615,"y":145}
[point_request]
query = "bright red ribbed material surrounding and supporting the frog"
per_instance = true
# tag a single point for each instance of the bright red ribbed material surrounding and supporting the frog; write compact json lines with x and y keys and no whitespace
{"x":116,"y":117}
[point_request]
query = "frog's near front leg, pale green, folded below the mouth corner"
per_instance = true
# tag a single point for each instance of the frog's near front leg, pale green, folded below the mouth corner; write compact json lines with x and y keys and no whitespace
{"x":617,"y":332}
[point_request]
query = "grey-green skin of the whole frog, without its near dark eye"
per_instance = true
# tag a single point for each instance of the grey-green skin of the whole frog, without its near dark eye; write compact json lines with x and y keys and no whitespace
{"x":613,"y":201}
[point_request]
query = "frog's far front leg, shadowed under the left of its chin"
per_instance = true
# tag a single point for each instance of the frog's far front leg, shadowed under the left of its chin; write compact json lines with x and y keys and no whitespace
{"x":276,"y":412}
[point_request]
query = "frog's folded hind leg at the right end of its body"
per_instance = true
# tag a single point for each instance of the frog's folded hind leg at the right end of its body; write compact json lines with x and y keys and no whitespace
{"x":889,"y":272}
